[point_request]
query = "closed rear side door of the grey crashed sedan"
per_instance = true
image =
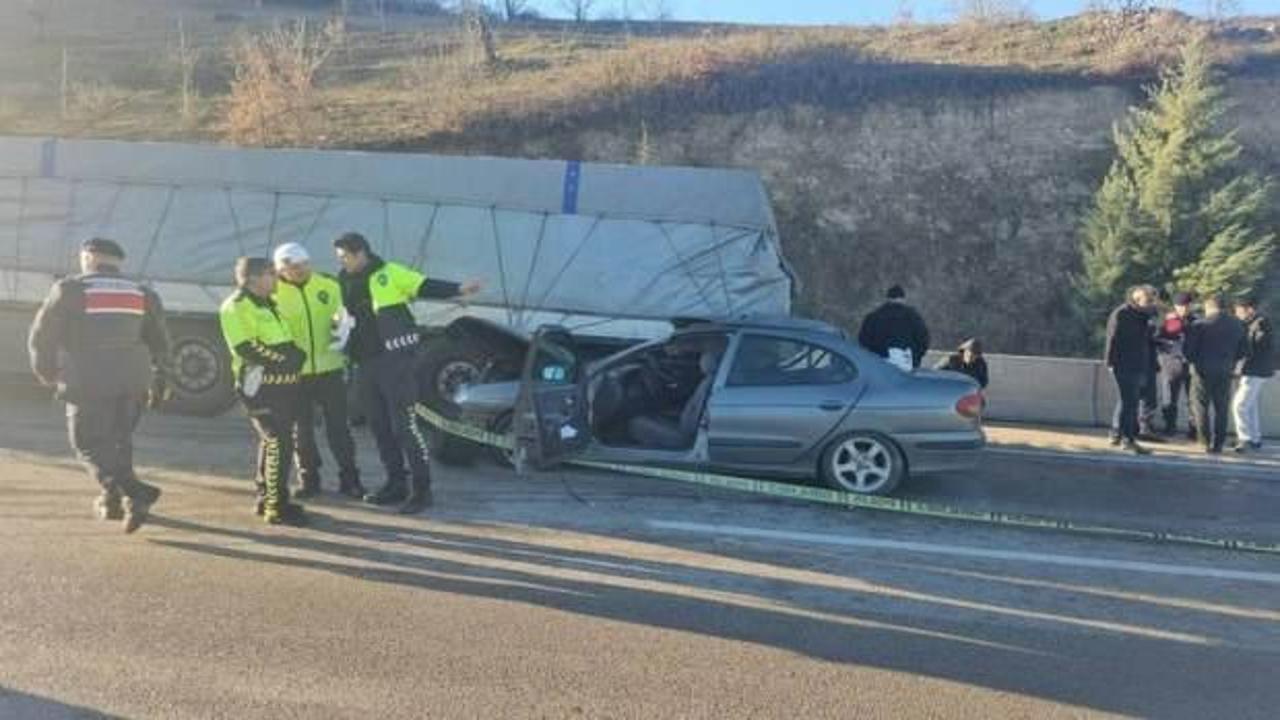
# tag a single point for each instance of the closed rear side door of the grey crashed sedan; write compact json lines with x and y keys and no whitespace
{"x":780,"y":398}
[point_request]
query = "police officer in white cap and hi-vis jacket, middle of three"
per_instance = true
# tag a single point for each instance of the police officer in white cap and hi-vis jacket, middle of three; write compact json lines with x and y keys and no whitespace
{"x":310,"y":304}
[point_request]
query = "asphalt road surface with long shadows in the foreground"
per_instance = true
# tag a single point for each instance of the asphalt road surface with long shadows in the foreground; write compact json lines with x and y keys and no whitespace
{"x":573,"y":595}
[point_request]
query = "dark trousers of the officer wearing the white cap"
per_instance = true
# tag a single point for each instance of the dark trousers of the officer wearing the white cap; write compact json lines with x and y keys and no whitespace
{"x":328,"y":393}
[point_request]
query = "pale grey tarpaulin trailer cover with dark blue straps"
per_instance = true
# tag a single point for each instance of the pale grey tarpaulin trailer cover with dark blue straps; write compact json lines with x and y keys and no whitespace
{"x":546,"y":236}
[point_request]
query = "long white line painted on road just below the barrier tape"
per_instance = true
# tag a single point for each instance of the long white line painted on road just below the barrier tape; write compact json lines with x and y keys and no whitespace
{"x":980,"y":553}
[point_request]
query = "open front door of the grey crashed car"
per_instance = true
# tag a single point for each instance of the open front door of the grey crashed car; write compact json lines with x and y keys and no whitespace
{"x":552,"y":422}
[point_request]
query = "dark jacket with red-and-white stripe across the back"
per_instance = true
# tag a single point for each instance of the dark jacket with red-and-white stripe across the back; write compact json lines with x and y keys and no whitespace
{"x":99,"y":336}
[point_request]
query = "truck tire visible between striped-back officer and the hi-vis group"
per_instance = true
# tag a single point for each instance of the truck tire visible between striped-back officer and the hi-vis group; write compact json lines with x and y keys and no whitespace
{"x":202,"y":379}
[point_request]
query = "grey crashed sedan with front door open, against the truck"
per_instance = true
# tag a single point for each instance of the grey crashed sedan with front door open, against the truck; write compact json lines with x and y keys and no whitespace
{"x":765,"y":398}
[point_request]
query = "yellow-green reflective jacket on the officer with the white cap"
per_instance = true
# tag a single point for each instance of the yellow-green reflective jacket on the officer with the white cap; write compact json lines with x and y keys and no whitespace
{"x":309,"y":311}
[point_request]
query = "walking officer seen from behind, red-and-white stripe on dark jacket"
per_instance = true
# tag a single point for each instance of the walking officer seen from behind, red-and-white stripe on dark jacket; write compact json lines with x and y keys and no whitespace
{"x":100,"y":340}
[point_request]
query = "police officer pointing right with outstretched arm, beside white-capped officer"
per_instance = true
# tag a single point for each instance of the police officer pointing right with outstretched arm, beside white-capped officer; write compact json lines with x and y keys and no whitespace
{"x":385,"y":348}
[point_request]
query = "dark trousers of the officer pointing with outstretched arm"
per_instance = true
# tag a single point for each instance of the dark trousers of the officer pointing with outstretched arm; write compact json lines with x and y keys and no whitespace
{"x":388,"y":385}
